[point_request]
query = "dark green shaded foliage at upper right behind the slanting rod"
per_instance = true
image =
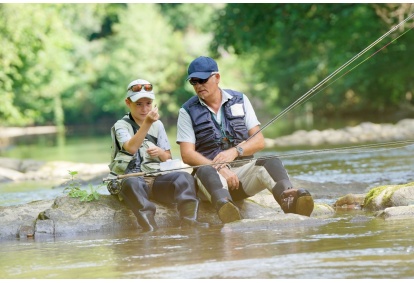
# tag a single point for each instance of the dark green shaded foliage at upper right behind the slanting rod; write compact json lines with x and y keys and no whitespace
{"x":298,"y":45}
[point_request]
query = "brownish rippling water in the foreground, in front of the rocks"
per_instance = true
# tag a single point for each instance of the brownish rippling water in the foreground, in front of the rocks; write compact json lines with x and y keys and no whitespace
{"x":349,"y":247}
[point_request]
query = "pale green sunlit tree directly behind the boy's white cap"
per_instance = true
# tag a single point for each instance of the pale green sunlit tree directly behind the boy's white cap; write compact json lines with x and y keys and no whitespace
{"x":141,"y":47}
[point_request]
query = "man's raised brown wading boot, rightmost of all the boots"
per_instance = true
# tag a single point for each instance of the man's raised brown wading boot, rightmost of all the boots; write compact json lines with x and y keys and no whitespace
{"x":298,"y":201}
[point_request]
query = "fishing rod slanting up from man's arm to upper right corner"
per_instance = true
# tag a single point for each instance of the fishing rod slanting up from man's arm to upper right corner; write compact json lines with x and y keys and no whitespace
{"x":308,"y":94}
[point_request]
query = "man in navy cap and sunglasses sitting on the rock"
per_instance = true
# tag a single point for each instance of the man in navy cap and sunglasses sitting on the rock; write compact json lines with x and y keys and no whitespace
{"x":214,"y":128}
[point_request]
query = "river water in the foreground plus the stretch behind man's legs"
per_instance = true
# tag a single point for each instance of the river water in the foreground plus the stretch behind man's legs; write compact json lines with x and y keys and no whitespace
{"x":352,"y":244}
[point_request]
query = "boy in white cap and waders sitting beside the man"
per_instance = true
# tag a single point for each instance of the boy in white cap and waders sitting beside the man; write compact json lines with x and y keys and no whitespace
{"x":142,"y":137}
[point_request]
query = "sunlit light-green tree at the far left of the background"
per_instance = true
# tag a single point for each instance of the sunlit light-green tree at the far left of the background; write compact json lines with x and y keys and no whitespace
{"x":37,"y":63}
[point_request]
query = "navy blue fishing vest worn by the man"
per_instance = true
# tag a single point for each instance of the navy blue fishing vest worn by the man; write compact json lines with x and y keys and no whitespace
{"x":212,"y":138}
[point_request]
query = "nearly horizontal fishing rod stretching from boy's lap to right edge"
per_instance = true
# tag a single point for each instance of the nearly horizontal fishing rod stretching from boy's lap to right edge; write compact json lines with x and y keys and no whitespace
{"x":396,"y":144}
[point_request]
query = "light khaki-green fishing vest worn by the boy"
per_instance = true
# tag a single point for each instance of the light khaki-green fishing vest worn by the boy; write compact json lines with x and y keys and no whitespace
{"x":122,"y":161}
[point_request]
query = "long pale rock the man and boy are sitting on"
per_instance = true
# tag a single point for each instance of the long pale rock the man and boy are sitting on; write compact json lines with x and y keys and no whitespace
{"x":70,"y":216}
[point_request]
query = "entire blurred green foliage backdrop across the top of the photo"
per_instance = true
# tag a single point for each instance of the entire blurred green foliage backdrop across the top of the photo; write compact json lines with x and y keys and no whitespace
{"x":67,"y":63}
